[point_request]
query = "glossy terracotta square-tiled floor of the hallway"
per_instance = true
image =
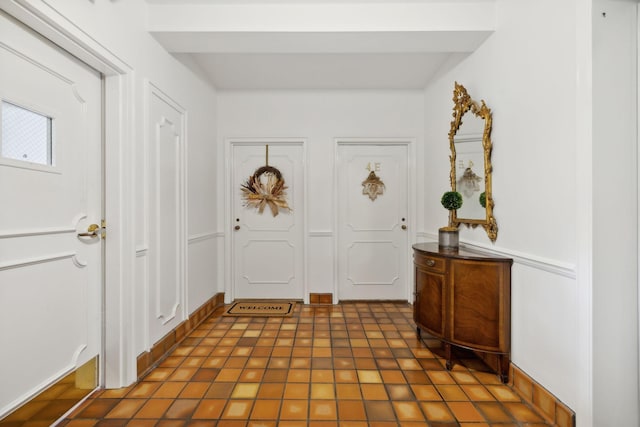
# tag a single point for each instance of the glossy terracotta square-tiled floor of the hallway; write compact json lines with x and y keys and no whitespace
{"x":350,"y":365}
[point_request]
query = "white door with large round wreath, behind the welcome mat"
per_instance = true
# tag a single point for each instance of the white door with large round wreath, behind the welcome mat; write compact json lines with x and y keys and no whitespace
{"x":268,"y":252}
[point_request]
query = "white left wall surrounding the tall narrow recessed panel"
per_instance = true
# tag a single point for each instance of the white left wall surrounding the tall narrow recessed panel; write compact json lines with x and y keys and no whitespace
{"x":151,"y":62}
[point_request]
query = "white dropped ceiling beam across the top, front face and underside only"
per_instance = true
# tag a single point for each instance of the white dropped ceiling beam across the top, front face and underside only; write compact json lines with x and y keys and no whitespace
{"x":322,"y":28}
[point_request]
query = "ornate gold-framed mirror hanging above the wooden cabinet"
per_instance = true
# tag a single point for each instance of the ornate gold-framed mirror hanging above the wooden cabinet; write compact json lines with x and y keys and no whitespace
{"x":470,"y":143}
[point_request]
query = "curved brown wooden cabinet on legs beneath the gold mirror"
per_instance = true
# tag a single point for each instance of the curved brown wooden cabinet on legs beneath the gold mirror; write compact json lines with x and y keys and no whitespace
{"x":463,"y":298}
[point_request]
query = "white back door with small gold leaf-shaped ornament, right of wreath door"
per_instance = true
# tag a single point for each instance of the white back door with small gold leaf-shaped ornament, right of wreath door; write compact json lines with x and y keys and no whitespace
{"x":372,"y":222}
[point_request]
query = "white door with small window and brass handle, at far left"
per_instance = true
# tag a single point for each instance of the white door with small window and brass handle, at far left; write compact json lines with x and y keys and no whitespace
{"x":50,"y":191}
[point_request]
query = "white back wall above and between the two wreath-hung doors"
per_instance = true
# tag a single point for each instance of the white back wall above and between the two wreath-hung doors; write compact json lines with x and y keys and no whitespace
{"x":318,"y":117}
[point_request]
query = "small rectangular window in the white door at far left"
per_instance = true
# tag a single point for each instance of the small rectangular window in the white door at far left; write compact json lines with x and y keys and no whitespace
{"x":26,"y":135}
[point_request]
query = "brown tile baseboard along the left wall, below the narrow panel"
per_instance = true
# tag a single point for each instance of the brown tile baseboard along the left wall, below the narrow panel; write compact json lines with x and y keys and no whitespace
{"x":150,"y":359}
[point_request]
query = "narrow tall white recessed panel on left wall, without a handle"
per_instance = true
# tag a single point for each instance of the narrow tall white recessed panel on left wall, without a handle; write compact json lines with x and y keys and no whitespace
{"x":166,"y":215}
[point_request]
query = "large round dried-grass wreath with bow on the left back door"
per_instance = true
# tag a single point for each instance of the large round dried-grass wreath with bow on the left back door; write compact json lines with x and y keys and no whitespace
{"x":265,"y":187}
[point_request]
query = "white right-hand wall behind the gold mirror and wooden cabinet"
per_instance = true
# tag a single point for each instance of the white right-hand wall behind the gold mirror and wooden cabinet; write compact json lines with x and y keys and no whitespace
{"x":527,"y":76}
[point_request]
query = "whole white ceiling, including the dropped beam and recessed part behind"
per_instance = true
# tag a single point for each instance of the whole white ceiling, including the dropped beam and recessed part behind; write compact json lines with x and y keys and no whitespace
{"x":319,"y":44}
